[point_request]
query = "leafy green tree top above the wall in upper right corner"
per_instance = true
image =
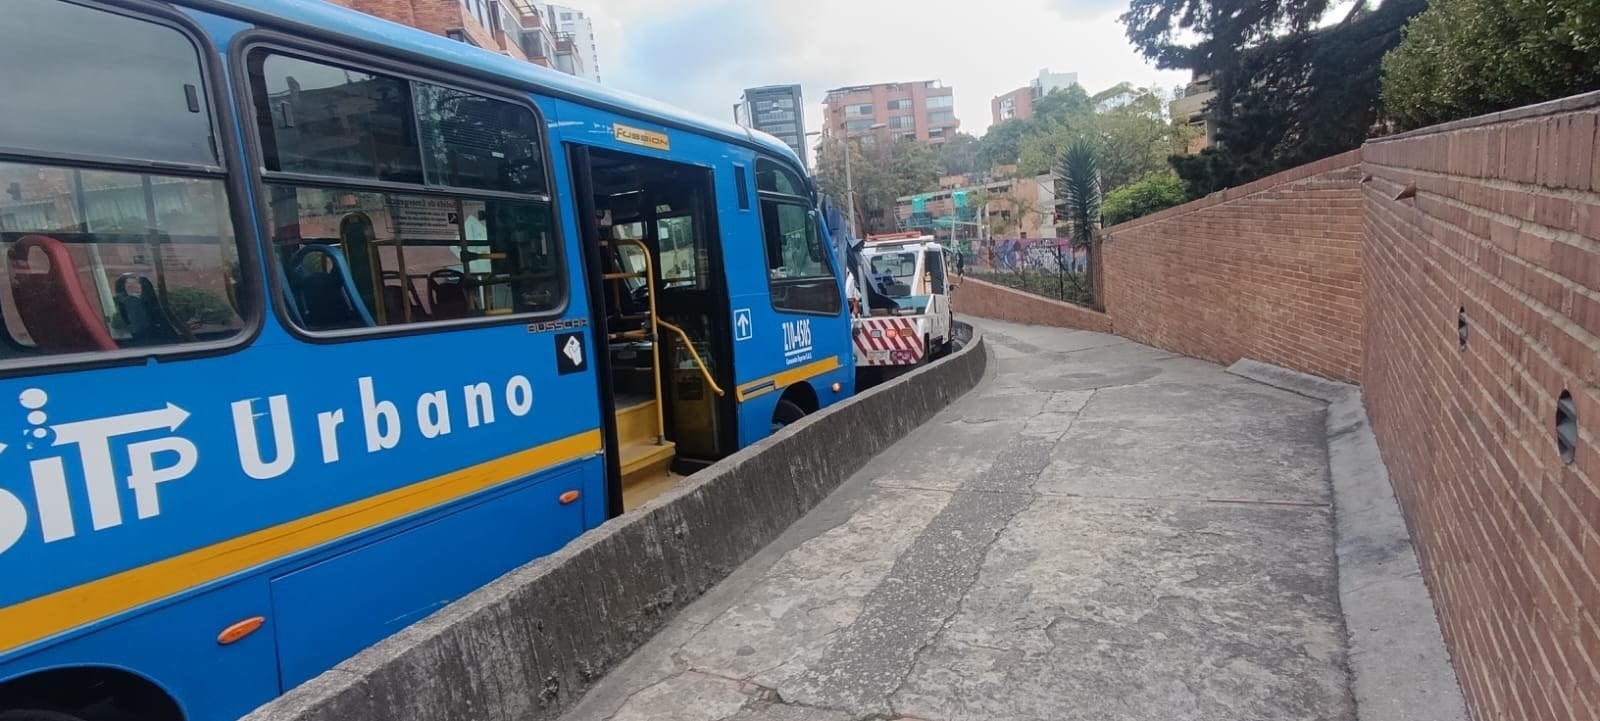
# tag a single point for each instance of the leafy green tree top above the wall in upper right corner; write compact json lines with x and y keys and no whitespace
{"x":1466,"y":58}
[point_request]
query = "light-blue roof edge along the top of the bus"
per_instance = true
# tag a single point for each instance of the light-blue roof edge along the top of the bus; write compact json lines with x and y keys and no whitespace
{"x":318,"y":18}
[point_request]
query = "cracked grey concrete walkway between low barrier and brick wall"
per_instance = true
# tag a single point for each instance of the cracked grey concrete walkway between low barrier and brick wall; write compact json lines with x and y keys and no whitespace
{"x":1100,"y":532}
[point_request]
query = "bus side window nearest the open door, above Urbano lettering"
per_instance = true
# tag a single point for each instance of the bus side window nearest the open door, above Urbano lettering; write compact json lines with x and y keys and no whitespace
{"x":474,"y":241}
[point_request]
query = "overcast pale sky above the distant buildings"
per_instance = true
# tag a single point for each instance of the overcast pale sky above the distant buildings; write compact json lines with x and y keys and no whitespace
{"x":702,"y":54}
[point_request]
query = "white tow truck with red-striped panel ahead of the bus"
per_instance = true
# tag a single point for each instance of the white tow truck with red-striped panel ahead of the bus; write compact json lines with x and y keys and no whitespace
{"x":900,"y":298}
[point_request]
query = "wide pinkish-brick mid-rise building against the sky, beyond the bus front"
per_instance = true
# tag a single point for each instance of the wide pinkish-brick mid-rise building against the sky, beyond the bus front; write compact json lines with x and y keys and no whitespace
{"x":922,"y":111}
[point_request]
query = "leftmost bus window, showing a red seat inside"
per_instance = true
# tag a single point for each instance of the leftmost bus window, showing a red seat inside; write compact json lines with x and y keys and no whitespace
{"x":103,"y":257}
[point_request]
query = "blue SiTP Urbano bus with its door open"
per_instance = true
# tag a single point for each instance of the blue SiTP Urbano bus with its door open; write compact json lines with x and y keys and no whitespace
{"x":314,"y":324}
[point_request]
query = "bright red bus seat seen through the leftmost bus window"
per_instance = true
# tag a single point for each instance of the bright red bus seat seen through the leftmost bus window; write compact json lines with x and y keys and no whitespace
{"x":55,"y":311}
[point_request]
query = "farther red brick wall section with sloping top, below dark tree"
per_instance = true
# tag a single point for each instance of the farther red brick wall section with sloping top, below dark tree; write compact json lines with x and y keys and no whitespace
{"x":1268,"y":271}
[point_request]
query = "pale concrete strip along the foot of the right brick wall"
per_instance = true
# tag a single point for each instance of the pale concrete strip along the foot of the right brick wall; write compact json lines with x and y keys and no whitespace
{"x":1399,"y":666}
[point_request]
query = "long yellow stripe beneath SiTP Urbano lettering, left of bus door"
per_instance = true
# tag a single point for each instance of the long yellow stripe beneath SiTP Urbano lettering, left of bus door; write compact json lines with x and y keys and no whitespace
{"x":71,"y":608}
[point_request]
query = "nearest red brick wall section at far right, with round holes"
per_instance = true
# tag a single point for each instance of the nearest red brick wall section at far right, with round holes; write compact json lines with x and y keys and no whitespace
{"x":1506,"y":225}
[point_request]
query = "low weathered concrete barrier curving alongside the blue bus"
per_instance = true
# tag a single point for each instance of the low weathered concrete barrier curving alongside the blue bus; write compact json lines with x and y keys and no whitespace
{"x":530,"y":643}
